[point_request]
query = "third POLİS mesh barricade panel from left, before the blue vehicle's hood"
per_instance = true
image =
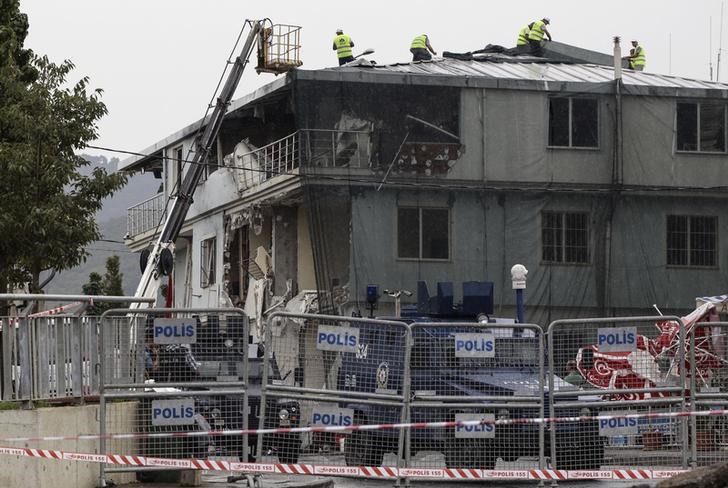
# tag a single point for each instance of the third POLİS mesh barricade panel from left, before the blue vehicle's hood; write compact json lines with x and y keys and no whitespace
{"x":476,"y":371}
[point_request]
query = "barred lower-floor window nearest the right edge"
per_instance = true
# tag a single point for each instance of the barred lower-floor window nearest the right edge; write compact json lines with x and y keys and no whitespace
{"x":692,"y":240}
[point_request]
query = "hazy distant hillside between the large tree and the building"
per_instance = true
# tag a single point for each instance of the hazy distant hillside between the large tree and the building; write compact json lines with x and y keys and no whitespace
{"x":112,"y":222}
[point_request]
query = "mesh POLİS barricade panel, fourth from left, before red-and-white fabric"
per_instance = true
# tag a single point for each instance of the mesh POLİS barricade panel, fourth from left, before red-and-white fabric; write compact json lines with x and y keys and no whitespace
{"x":638,"y":364}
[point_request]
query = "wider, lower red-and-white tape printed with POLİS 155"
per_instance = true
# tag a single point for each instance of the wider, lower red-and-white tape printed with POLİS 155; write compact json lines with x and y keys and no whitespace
{"x":341,"y":471}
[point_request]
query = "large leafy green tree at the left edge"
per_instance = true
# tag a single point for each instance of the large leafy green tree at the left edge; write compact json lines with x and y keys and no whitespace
{"x":48,"y":205}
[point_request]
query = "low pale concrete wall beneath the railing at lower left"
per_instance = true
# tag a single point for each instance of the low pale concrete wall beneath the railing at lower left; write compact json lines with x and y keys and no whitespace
{"x":61,"y":421}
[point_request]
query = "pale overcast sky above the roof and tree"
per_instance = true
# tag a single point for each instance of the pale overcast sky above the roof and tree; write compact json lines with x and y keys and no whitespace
{"x":158,"y":61}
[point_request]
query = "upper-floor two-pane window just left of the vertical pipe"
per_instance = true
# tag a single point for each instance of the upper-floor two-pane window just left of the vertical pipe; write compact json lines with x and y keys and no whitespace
{"x":573,"y":122}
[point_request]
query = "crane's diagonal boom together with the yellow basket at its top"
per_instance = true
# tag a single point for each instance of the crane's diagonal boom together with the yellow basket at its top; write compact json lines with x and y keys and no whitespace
{"x":278,"y":52}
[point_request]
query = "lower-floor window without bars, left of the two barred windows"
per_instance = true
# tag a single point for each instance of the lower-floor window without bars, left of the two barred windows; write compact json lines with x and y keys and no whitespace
{"x":423,"y":233}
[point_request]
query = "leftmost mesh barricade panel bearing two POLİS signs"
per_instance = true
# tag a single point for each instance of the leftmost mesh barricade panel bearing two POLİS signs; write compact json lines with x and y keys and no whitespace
{"x":182,"y":371}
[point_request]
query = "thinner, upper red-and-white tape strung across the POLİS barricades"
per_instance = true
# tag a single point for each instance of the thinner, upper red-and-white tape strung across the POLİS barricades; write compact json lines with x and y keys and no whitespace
{"x":350,"y":428}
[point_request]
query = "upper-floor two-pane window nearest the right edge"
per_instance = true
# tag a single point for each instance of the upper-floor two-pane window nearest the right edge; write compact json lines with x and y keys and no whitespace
{"x":701,"y":127}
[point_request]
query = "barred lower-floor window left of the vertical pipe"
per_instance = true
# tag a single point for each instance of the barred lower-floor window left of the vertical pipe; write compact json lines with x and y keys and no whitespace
{"x":565,"y":237}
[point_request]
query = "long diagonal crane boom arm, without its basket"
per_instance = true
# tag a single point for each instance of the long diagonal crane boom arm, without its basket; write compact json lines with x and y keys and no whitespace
{"x":160,"y":259}
